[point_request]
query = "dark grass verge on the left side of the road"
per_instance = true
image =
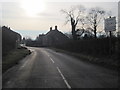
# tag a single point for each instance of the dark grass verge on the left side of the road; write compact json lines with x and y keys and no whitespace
{"x":13,"y":57}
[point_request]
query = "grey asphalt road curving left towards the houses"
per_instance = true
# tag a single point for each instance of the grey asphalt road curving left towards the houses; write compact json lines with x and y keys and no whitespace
{"x":45,"y":68}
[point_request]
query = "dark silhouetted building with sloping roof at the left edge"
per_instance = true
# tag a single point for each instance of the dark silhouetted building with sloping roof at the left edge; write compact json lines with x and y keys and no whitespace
{"x":10,"y":40}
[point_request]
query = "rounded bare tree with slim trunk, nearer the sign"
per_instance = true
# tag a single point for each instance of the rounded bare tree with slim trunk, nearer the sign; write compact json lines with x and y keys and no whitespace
{"x":94,"y":18}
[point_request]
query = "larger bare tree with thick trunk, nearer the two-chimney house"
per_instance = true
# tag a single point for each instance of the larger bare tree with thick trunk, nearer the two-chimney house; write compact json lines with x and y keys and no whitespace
{"x":74,"y":16}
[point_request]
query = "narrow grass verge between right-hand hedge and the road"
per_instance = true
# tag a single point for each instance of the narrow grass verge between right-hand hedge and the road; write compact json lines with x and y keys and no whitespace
{"x":102,"y":61}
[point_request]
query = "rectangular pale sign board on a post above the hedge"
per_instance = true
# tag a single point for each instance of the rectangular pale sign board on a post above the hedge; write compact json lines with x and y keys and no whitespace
{"x":110,"y":24}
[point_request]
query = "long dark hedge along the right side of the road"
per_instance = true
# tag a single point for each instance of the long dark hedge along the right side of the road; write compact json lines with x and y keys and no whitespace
{"x":101,"y":47}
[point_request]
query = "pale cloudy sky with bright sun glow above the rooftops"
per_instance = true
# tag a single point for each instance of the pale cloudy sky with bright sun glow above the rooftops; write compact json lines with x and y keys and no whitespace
{"x":33,"y":17}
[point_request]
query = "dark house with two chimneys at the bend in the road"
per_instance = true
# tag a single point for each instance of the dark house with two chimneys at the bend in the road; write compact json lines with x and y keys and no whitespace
{"x":53,"y":37}
